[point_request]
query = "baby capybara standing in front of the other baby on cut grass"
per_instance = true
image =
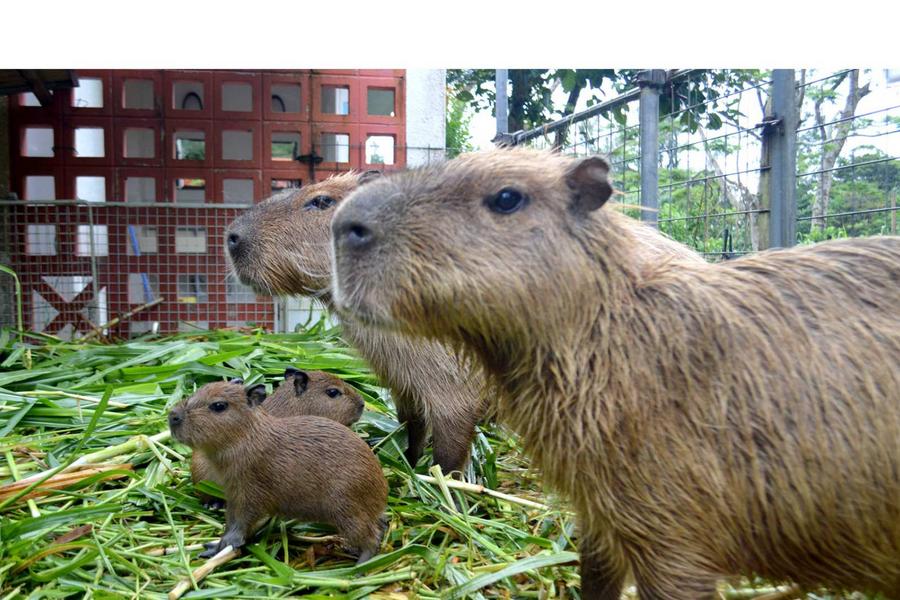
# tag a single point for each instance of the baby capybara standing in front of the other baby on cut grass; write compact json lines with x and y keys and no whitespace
{"x":308,"y":468}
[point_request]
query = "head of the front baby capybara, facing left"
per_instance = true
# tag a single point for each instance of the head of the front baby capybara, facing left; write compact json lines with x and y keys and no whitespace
{"x":216,"y":413}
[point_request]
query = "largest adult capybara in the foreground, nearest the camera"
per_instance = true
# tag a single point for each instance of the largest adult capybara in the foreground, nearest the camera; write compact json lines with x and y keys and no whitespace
{"x":706,"y":420}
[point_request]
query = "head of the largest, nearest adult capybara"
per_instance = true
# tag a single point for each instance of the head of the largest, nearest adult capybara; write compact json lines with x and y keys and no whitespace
{"x":469,"y":242}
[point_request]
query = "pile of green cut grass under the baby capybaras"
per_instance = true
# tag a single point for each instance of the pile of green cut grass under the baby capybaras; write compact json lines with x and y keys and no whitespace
{"x":129,"y":525}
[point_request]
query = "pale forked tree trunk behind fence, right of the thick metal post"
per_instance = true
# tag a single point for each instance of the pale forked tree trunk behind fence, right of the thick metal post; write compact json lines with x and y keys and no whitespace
{"x":832,"y":139}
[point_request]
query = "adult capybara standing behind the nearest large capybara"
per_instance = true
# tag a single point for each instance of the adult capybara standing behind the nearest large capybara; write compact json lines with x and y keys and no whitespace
{"x":283,"y":246}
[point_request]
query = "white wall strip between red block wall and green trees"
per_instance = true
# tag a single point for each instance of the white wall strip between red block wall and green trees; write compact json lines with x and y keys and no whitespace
{"x":426,"y":99}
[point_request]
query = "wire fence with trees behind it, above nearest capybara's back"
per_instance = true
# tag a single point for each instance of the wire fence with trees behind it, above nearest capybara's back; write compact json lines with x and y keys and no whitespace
{"x":720,"y":152}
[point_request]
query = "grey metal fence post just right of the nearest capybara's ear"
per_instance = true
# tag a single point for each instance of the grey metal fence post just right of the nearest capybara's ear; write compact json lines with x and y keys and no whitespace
{"x":650,"y":82}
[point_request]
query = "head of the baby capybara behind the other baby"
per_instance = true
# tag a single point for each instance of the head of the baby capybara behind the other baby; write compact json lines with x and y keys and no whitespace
{"x":315,"y":393}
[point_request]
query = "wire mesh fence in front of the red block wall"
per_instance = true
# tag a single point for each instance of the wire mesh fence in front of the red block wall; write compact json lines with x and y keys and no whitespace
{"x":125,"y":268}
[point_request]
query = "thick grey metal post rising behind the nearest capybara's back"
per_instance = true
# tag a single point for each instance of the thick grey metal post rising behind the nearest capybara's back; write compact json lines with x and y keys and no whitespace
{"x":782,"y":134}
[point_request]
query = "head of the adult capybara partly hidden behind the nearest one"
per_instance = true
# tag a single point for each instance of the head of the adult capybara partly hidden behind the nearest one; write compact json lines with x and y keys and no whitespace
{"x":283,"y":245}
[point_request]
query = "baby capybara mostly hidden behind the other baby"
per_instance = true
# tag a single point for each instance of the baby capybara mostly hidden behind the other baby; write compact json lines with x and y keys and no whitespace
{"x":301,"y":393}
